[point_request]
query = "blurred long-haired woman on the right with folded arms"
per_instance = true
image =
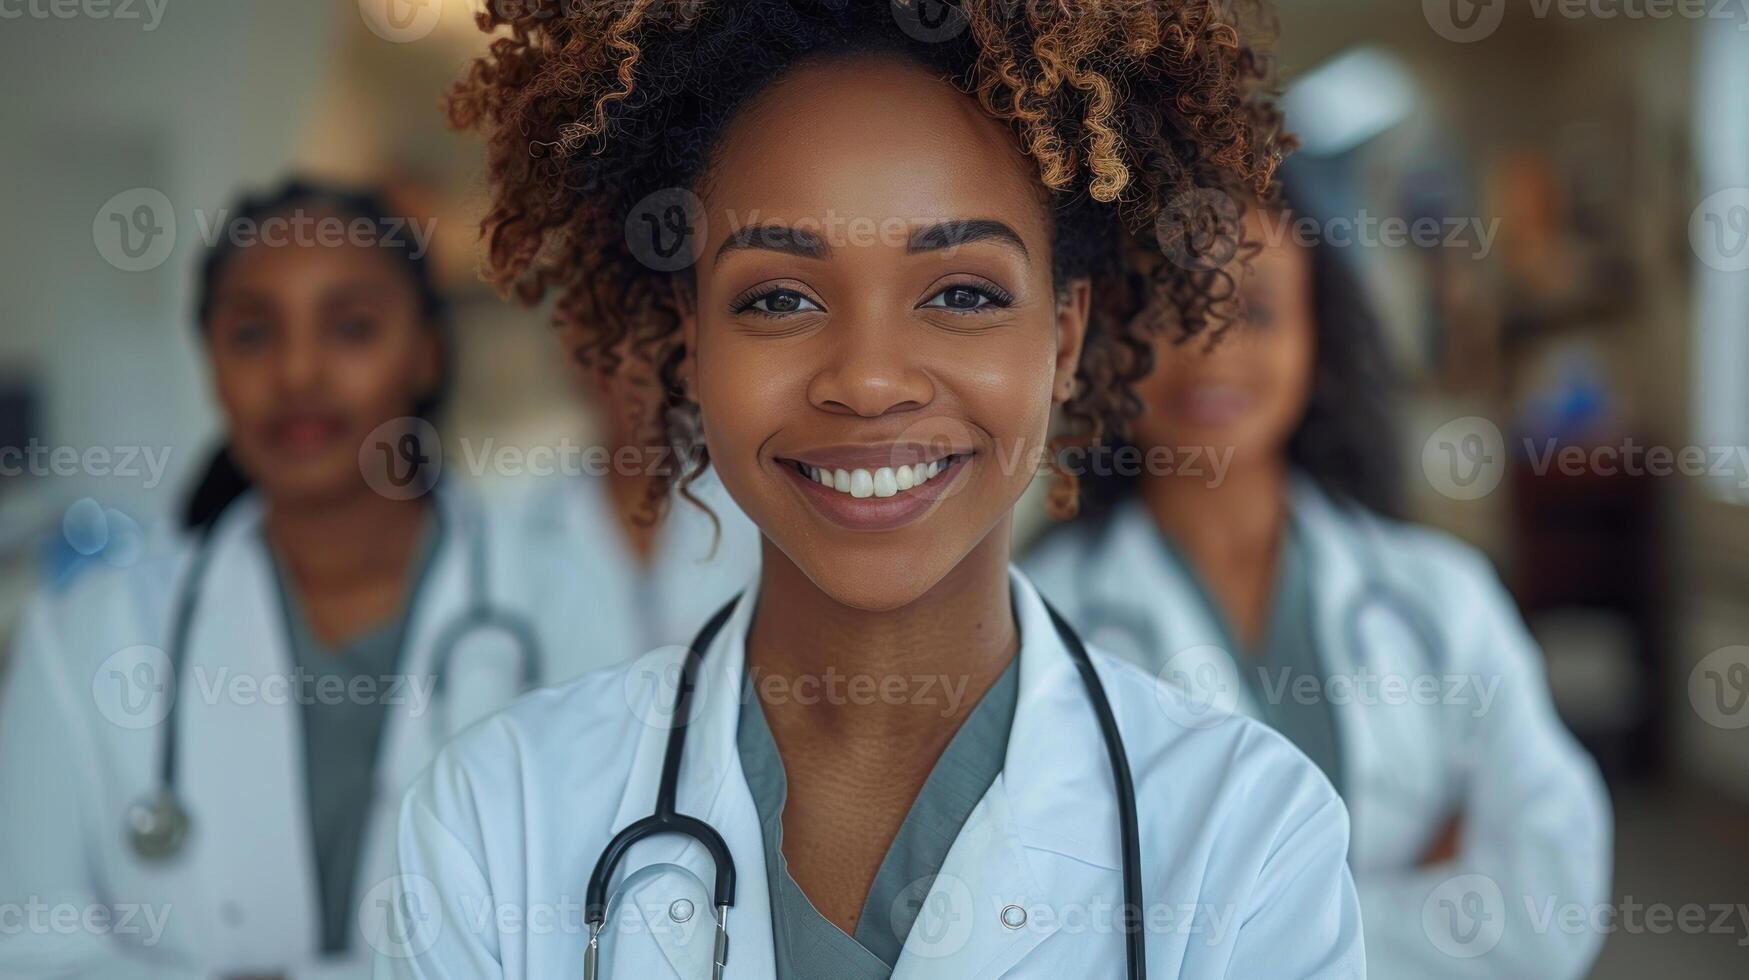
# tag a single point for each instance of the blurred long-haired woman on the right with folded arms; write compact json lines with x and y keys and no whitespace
{"x":1248,"y":566}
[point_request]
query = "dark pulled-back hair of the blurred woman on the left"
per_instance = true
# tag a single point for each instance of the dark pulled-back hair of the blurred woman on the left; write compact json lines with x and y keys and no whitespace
{"x":225,"y":480}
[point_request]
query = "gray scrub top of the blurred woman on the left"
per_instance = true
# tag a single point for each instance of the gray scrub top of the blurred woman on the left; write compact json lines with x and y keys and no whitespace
{"x":344,"y":732}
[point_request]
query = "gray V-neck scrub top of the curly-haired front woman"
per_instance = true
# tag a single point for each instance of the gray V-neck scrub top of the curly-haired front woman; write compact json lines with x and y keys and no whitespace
{"x":805,"y":942}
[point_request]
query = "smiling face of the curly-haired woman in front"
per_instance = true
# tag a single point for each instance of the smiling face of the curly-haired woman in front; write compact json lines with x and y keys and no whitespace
{"x":877,"y":344}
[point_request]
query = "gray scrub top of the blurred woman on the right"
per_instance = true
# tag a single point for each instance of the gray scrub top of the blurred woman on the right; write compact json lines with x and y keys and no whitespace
{"x":1286,"y":654}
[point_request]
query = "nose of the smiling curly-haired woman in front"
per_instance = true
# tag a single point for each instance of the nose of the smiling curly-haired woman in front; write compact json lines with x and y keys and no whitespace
{"x":872,"y":370}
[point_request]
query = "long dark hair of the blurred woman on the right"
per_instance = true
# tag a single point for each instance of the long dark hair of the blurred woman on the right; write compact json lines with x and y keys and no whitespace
{"x":1348,"y":440}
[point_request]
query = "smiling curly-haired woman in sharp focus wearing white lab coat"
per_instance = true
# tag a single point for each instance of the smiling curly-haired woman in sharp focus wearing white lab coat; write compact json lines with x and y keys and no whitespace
{"x":893,"y":760}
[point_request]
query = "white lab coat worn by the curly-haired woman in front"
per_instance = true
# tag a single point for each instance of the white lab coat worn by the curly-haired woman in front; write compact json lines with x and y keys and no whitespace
{"x":1243,"y":839}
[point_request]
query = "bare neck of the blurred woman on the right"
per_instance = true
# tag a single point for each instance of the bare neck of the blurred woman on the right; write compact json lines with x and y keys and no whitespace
{"x":1244,"y":514}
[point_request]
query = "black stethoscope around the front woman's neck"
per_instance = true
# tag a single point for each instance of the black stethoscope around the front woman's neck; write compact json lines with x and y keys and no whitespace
{"x":667,"y":820}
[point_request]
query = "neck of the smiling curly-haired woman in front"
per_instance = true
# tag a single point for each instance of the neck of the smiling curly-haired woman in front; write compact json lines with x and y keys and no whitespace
{"x":907,"y":675}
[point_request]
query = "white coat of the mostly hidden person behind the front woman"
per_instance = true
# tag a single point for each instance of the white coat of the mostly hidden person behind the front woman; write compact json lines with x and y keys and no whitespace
{"x":564,"y":549}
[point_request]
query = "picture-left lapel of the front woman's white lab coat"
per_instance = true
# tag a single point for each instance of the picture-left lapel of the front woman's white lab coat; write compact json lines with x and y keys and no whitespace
{"x":711,"y":788}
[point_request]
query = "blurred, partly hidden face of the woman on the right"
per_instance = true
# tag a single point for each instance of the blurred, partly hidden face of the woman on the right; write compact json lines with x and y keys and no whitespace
{"x":1250,"y":393}
